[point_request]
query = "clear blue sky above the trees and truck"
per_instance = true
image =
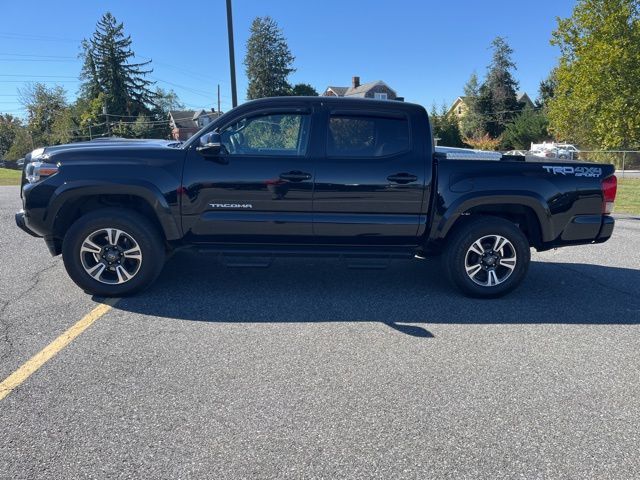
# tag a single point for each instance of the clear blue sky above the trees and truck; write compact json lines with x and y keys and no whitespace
{"x":425,"y":50}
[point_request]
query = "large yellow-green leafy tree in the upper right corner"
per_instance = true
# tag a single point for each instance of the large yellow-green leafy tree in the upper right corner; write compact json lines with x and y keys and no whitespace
{"x":596,"y":100}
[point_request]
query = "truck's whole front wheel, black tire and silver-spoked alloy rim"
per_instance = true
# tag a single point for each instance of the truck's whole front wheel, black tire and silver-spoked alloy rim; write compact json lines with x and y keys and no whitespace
{"x":113,"y":252}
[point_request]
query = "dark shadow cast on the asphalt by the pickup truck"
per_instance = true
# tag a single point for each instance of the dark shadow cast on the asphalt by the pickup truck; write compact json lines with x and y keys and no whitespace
{"x":407,"y":296}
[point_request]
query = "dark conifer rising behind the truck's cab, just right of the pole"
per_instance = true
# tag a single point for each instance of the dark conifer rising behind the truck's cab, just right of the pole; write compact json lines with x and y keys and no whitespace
{"x":268,"y":60}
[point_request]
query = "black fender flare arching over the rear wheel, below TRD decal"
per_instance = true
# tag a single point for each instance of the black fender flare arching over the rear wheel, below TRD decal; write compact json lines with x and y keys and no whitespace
{"x":531,"y":200}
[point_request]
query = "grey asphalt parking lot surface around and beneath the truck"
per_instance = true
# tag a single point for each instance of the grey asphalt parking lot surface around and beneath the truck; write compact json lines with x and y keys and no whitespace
{"x":309,"y":369}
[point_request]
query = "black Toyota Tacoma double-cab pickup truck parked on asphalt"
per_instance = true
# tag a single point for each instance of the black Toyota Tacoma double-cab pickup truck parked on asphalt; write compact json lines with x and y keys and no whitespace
{"x":308,"y":176}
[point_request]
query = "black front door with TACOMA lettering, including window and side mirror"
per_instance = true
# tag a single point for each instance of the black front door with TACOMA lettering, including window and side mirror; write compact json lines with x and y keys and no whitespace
{"x":259,"y":189}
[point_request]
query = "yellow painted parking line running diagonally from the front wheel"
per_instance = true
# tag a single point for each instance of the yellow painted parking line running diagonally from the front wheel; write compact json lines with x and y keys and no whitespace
{"x":43,"y":356}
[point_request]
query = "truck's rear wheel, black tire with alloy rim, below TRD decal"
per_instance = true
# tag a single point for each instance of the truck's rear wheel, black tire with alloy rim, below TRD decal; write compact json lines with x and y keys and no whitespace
{"x":458,"y":257}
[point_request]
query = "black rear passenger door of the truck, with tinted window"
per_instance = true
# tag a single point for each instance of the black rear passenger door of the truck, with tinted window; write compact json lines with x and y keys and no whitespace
{"x":370,"y":182}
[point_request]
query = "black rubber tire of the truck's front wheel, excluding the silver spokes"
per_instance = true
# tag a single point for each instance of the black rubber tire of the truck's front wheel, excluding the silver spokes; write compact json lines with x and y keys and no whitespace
{"x":137,"y":228}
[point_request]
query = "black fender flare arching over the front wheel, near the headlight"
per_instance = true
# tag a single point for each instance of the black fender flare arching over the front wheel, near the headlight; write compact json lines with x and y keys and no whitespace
{"x":150,"y":193}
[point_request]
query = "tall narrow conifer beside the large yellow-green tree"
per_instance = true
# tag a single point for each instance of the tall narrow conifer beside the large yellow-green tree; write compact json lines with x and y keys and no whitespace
{"x":497,"y":97}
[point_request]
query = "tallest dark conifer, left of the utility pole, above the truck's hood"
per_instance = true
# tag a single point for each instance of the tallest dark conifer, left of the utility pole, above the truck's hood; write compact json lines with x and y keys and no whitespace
{"x":108,"y":68}
